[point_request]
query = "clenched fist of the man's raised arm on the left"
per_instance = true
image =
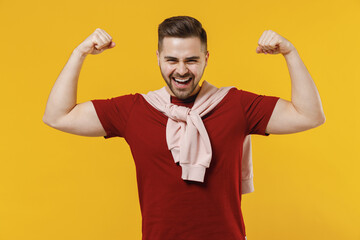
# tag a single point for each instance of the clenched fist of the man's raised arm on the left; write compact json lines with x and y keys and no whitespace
{"x":96,"y":43}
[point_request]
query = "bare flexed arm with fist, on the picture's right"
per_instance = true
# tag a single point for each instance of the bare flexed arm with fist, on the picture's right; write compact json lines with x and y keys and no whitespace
{"x":305,"y":109}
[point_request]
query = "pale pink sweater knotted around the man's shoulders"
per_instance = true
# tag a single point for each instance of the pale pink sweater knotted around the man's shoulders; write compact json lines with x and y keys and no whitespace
{"x":187,"y":138}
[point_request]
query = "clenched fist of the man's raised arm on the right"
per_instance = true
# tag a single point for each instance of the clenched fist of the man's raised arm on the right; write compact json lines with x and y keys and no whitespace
{"x":272,"y":43}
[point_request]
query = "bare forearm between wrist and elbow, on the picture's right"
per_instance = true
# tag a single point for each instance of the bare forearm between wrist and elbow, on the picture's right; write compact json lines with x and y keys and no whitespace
{"x":304,"y":94}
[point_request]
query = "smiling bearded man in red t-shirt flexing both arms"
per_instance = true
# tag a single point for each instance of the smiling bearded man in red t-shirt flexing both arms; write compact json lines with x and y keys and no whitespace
{"x":188,"y":124}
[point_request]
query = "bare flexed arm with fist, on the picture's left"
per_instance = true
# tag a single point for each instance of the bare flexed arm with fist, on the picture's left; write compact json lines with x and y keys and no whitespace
{"x":62,"y":112}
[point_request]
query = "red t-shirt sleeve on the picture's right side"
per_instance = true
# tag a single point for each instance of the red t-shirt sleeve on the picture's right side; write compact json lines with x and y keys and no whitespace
{"x":258,"y":110}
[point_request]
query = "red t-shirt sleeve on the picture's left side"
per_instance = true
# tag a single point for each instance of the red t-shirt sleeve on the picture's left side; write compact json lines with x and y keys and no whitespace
{"x":114,"y":113}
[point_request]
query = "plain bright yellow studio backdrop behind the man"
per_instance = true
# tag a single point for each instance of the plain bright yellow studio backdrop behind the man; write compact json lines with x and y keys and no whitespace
{"x":55,"y":185}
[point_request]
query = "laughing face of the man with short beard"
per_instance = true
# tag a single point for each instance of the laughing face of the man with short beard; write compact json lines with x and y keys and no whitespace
{"x":182,"y":63}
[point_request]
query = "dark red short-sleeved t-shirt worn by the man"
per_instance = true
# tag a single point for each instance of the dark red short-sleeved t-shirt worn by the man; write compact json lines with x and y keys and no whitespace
{"x":177,"y":209}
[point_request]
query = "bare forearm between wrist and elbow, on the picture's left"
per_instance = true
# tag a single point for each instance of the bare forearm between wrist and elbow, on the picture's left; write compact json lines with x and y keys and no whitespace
{"x":63,"y":95}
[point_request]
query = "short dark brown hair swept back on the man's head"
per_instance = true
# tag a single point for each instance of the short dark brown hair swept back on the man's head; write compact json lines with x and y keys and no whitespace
{"x":182,"y":27}
